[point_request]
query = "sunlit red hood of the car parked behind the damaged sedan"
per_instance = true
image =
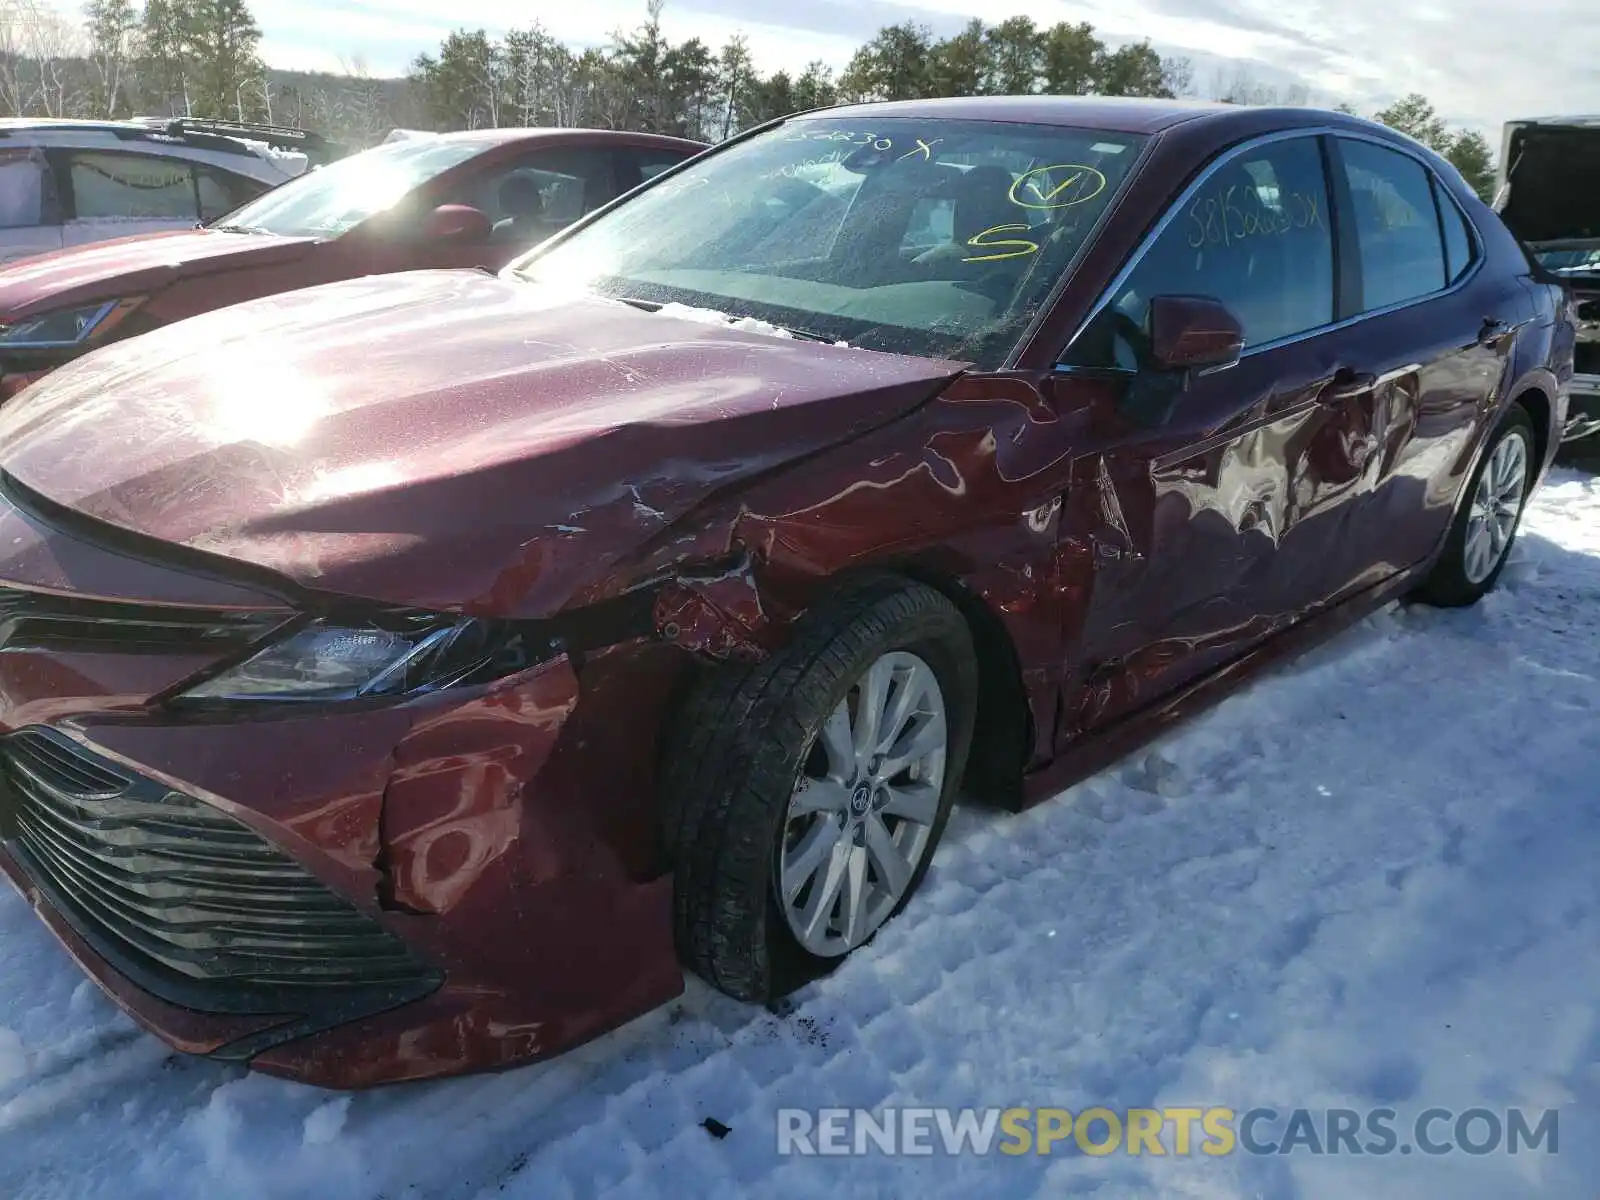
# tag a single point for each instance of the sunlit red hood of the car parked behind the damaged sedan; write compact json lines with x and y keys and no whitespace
{"x":134,"y":266}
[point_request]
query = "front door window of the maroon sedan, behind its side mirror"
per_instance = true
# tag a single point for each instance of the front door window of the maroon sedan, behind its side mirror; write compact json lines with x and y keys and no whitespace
{"x":1255,"y":236}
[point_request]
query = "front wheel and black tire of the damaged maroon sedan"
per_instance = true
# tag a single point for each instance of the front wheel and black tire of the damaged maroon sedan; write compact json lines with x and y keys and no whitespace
{"x":804,"y":798}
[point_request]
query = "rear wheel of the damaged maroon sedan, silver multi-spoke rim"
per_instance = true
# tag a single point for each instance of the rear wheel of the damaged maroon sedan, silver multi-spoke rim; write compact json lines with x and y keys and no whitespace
{"x":1486,"y":529}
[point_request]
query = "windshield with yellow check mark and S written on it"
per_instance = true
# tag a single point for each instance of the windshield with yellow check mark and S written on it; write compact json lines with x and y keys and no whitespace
{"x":927,"y":238}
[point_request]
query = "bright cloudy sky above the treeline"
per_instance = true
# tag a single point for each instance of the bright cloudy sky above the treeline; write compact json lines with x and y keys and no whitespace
{"x":1478,"y":60}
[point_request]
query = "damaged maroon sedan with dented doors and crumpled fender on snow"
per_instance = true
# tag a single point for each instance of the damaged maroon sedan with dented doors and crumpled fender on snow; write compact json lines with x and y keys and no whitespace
{"x":418,"y":674}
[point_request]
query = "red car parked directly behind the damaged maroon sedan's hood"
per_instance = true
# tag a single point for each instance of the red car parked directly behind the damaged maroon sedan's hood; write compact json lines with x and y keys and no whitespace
{"x":434,"y":201}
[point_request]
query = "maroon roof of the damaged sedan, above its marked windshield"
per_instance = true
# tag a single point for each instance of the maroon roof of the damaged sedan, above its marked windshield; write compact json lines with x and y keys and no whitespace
{"x":1114,"y":114}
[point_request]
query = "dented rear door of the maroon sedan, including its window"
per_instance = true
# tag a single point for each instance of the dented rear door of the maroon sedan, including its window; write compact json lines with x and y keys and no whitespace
{"x":1433,"y":337}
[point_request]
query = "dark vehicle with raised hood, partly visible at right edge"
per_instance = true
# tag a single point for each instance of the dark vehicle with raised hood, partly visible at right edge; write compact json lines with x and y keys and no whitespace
{"x":1550,"y":196}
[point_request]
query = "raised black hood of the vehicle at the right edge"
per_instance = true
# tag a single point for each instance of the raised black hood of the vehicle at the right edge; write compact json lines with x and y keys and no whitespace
{"x":1551,"y":191}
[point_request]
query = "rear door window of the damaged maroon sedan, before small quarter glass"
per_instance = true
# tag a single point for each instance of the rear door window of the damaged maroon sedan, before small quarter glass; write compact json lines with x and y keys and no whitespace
{"x":1398,"y":234}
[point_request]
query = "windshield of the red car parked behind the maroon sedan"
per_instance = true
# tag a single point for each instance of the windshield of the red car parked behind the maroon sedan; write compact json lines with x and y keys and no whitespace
{"x":332,"y":199}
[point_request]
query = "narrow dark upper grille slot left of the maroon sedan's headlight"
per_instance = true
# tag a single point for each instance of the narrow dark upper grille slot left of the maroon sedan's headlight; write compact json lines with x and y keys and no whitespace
{"x":46,"y":622}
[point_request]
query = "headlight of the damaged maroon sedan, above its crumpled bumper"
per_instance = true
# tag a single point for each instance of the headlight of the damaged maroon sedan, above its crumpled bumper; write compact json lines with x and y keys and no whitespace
{"x":326,"y":662}
